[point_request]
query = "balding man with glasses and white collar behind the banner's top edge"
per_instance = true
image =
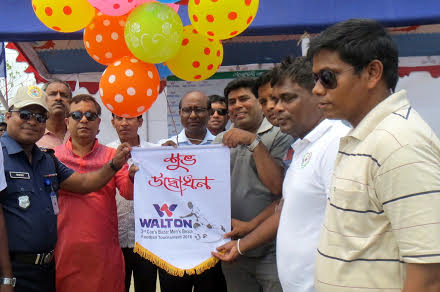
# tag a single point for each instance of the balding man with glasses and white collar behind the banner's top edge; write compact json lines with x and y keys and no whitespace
{"x":194,"y":110}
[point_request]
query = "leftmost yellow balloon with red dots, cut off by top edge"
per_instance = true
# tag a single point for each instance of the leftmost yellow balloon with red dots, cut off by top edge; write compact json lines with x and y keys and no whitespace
{"x":63,"y":15}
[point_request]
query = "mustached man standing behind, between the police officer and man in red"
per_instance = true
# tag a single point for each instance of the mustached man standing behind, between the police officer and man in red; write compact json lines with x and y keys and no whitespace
{"x":58,"y":94}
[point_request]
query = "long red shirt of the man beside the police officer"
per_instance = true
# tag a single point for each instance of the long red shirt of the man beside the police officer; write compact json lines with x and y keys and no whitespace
{"x":88,"y":256}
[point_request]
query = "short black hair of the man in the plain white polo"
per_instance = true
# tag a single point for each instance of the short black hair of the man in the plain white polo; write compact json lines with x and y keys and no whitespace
{"x":298,"y":70}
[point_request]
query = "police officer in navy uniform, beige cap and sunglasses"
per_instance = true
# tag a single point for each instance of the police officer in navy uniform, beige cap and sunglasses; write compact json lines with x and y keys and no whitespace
{"x":29,"y":203}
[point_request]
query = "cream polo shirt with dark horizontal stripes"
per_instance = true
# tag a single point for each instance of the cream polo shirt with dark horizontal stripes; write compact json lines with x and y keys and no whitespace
{"x":384,"y":204}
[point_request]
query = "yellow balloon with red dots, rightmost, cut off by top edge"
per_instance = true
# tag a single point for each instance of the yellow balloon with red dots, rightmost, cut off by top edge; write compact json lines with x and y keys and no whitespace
{"x":222,"y":19}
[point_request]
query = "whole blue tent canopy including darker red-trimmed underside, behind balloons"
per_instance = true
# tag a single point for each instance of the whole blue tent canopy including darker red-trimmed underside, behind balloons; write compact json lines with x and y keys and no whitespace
{"x":273,"y":34}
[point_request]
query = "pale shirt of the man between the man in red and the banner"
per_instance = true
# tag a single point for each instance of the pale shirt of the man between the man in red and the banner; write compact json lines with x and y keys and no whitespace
{"x":125,"y":207}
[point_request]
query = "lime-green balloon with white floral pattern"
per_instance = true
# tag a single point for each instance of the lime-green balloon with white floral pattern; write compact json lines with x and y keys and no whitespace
{"x":153,"y":32}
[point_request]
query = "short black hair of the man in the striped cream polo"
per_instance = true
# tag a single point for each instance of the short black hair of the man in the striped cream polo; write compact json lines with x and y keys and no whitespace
{"x":358,"y":42}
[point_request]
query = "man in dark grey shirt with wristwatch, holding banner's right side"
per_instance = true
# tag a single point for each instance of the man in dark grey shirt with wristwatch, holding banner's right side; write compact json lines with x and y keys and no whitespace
{"x":257,"y":149}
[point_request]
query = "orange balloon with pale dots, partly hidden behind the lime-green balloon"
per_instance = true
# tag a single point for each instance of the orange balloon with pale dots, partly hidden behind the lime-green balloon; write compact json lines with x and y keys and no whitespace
{"x":104,"y":38}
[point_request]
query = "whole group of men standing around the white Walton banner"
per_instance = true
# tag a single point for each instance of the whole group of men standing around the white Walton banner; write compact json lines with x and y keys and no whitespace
{"x":335,"y":181}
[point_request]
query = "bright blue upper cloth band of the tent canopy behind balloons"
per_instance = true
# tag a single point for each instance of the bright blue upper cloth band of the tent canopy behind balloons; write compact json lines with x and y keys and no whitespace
{"x":19,"y":23}
